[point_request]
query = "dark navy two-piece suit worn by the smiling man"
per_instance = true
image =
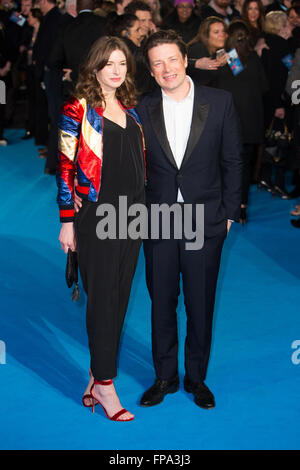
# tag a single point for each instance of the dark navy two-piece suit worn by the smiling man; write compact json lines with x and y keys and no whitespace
{"x":210,"y":174}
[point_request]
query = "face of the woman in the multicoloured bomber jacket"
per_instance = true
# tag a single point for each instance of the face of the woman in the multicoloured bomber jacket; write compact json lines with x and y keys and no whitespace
{"x":113,"y":74}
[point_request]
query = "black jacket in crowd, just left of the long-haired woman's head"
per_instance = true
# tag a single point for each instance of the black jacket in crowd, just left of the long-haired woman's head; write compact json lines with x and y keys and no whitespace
{"x":72,"y":46}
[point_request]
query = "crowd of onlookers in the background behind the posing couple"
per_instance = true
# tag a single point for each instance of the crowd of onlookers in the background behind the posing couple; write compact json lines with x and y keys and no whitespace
{"x":43,"y":43}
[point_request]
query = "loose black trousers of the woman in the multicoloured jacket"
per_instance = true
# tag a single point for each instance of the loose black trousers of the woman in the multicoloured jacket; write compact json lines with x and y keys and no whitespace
{"x":107,"y":268}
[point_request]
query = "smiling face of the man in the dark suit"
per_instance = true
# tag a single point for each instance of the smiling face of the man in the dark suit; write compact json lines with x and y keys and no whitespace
{"x":168,"y":67}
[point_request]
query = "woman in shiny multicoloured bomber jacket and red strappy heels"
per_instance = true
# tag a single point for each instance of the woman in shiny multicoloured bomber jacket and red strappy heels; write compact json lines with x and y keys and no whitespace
{"x":101,"y":140}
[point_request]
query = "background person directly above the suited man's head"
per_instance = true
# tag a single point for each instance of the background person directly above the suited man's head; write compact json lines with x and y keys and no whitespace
{"x":183,"y":20}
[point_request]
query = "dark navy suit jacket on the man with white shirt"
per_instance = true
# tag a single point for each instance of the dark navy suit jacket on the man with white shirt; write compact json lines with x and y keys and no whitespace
{"x":211,"y":170}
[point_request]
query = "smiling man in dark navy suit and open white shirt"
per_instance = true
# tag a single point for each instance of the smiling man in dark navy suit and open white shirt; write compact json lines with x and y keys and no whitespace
{"x":192,"y":156}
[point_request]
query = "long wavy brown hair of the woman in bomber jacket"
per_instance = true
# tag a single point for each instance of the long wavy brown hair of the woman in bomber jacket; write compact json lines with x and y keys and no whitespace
{"x":88,"y":86}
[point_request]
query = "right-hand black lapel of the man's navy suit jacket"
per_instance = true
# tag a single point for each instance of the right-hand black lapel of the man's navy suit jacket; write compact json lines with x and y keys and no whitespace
{"x":200,"y":114}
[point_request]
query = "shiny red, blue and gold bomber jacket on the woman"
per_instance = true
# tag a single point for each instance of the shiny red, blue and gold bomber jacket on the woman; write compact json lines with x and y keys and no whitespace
{"x":80,"y":148}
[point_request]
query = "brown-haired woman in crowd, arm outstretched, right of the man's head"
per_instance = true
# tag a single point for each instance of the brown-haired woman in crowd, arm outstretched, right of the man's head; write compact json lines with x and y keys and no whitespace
{"x":203,"y":61}
